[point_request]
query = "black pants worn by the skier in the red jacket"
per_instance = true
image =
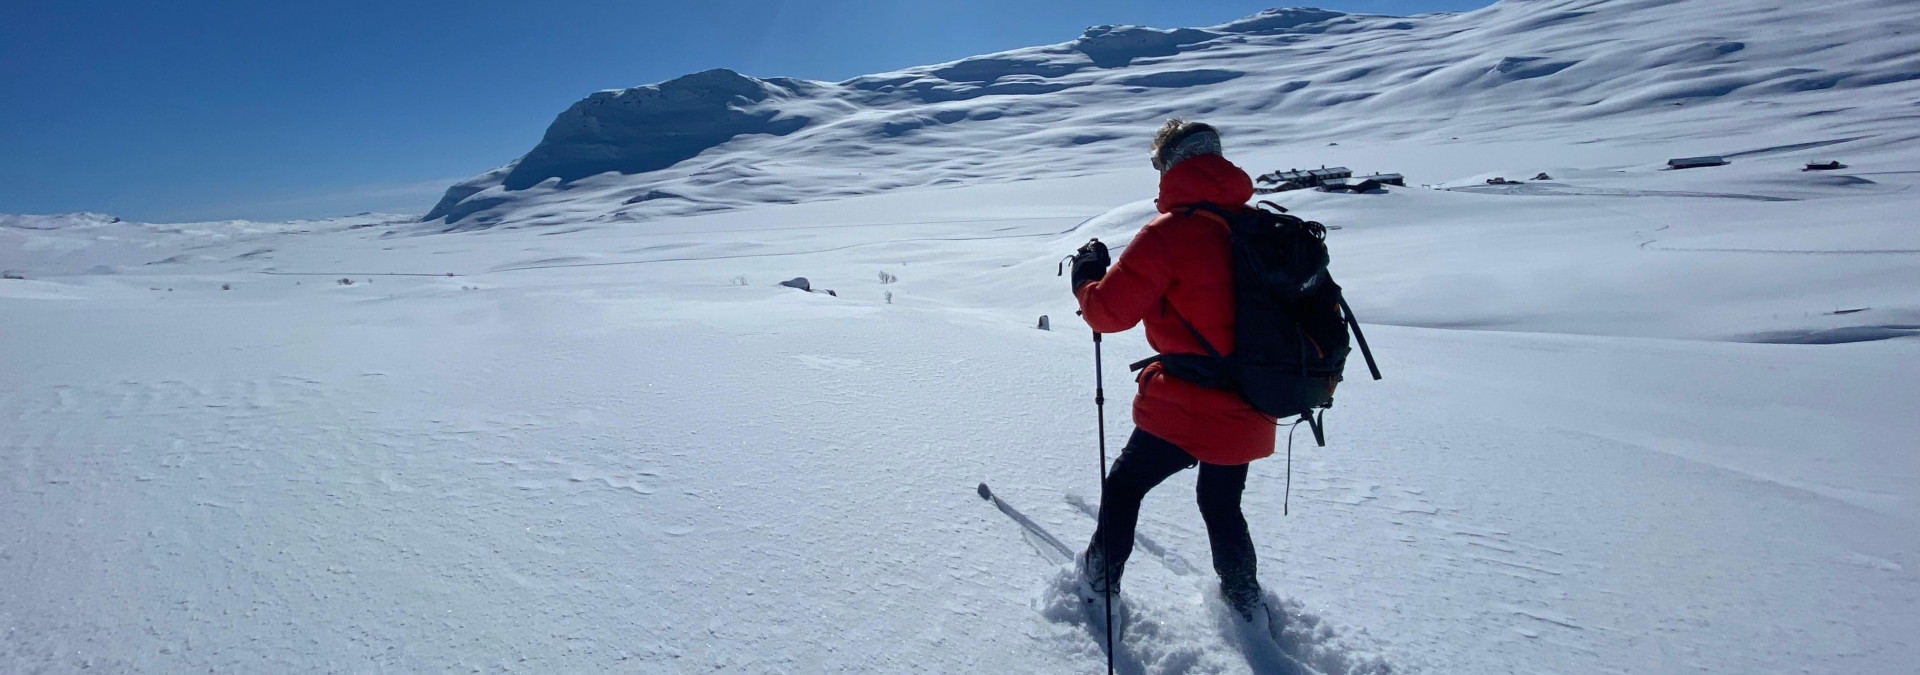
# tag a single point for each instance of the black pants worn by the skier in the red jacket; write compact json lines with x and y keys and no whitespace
{"x":1145,"y":463}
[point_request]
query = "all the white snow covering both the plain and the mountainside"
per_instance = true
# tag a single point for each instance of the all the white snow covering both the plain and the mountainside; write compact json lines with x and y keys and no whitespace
{"x":1633,"y":419}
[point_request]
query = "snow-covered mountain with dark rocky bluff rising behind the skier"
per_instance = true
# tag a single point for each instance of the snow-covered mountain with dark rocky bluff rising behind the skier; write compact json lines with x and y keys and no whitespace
{"x":1522,"y":70}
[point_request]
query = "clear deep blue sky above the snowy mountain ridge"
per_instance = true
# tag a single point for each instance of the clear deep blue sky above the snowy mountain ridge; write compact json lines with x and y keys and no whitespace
{"x":277,"y":110}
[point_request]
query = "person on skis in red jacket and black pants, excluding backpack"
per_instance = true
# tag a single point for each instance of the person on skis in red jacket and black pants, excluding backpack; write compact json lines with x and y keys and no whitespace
{"x":1176,"y":273}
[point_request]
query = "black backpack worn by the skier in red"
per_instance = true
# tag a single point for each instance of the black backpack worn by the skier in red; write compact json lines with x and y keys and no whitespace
{"x":1289,"y":321}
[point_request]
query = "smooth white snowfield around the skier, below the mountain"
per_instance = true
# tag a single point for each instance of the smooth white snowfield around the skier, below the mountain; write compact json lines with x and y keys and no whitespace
{"x":598,"y":452}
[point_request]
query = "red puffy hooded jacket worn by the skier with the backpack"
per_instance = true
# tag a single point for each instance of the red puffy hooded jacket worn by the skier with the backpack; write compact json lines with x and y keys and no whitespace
{"x":1180,"y":266}
